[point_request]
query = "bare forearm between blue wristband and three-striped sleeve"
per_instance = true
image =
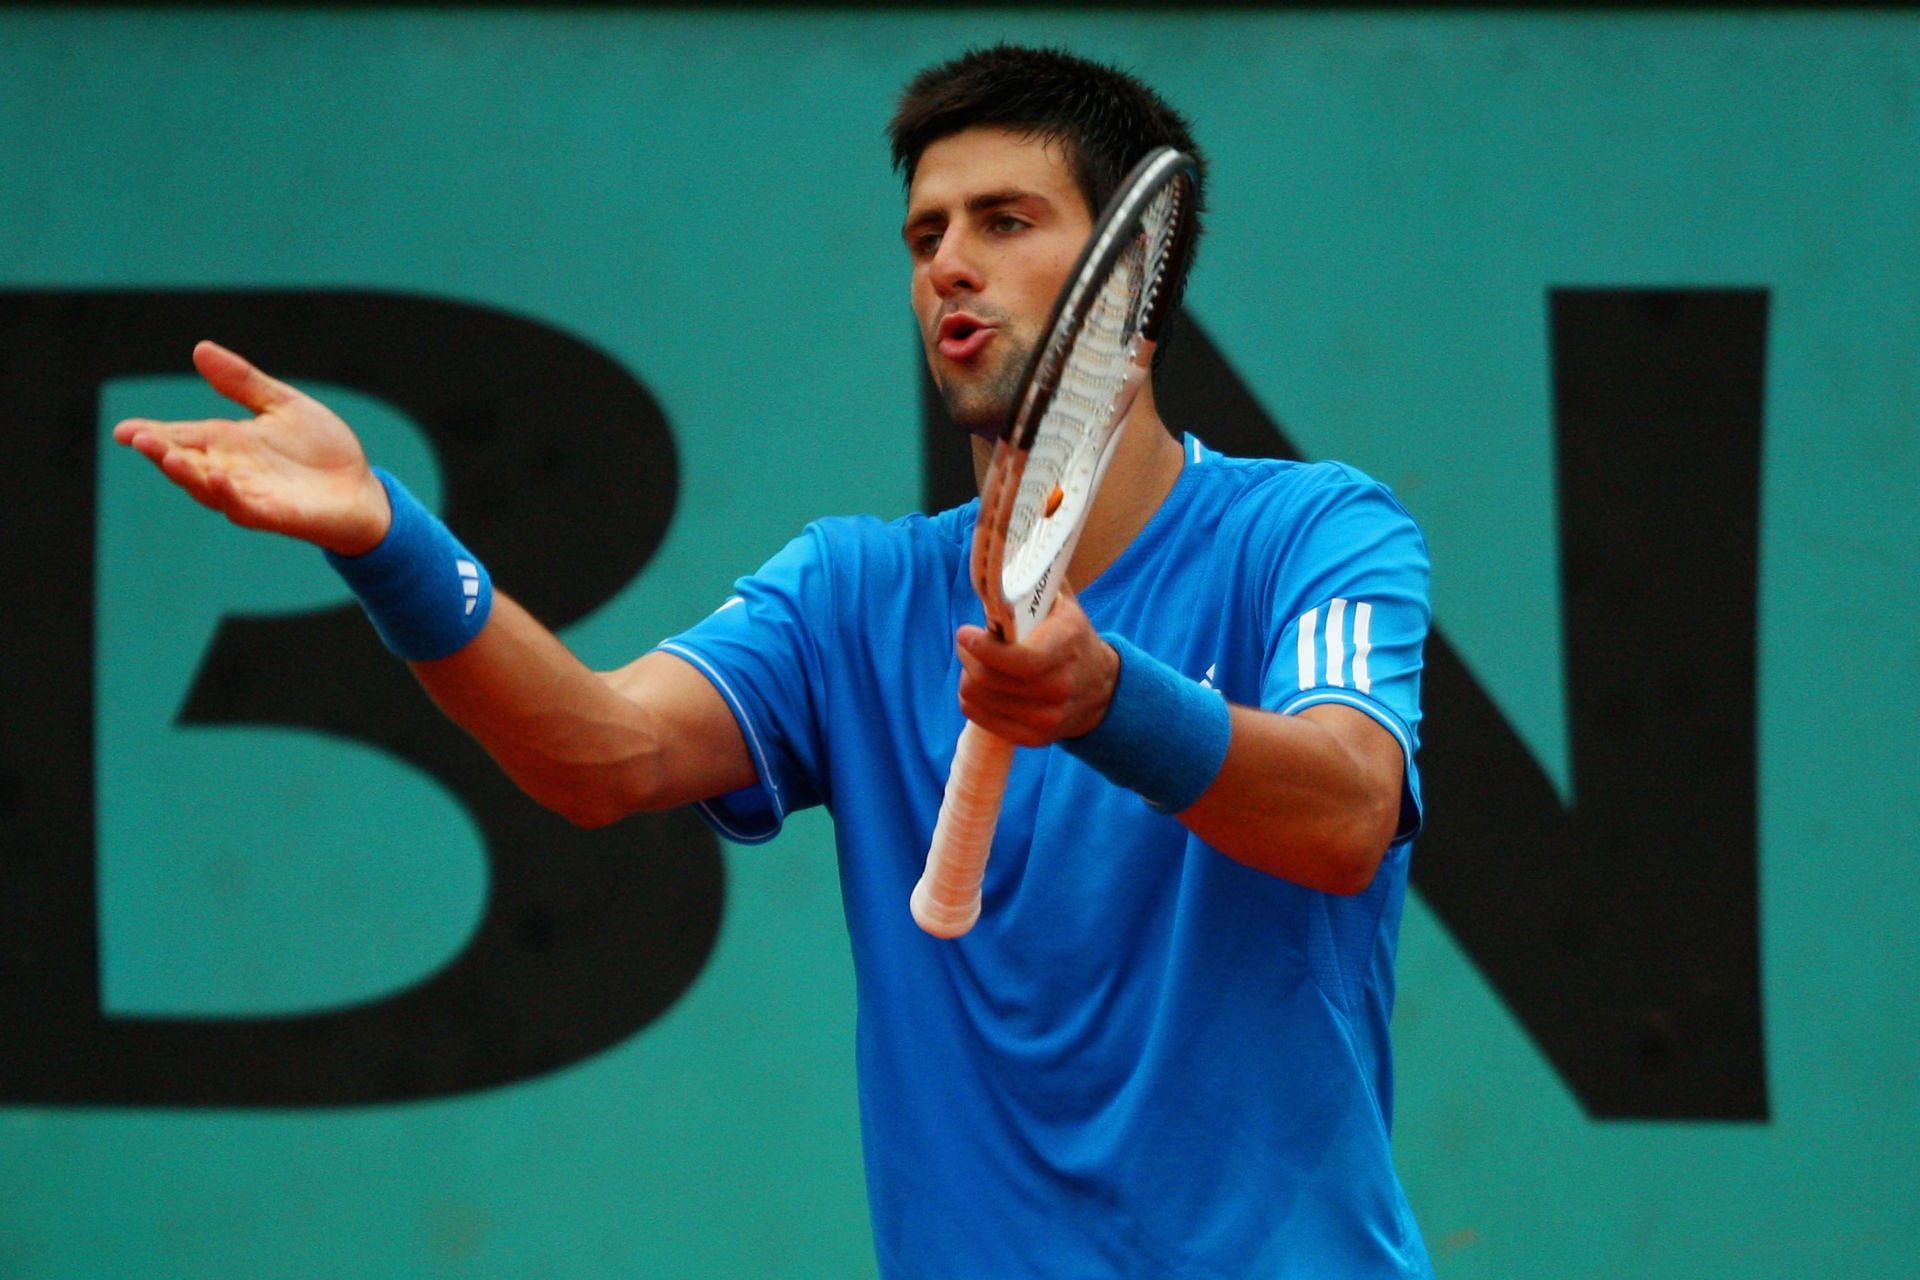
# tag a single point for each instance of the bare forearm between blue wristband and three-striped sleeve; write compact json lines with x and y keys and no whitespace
{"x":1301,"y":799}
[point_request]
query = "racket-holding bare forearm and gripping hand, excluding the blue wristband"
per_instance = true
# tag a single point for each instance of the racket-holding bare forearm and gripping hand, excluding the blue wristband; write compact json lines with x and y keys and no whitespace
{"x":1312,"y":799}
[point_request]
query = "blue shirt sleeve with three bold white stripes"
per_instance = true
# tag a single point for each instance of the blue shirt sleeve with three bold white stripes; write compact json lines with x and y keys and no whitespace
{"x":1351,"y":617}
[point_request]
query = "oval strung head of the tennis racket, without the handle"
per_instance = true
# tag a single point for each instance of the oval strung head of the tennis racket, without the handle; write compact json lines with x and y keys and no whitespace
{"x":1078,"y":391}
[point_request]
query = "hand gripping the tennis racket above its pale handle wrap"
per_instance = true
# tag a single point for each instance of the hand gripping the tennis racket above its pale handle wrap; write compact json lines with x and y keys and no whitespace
{"x":1055,"y":684}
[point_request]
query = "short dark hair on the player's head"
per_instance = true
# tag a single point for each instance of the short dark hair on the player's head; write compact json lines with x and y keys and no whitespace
{"x":1105,"y":118}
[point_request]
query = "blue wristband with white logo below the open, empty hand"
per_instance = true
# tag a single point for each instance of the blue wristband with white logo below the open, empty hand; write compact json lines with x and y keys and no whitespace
{"x":423,"y":590}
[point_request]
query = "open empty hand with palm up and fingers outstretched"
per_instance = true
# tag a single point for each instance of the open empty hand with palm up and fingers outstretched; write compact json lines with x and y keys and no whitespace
{"x":293,"y":469}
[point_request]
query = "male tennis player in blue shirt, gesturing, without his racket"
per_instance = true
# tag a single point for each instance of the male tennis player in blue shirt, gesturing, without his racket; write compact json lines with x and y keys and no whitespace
{"x":1164,"y":1049}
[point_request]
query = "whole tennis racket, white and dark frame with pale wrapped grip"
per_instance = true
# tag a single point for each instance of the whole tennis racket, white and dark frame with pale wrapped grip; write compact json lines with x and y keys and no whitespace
{"x":1044,"y":477}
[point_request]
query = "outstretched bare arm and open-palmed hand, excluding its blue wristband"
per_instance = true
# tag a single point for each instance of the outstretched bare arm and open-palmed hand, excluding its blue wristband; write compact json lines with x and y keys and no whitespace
{"x":592,"y":747}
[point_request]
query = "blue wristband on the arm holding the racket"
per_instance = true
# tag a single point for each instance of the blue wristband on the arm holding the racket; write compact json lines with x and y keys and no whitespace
{"x":1164,"y":736}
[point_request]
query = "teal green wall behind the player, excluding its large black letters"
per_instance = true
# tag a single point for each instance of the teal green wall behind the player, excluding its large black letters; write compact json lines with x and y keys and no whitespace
{"x":708,"y":201}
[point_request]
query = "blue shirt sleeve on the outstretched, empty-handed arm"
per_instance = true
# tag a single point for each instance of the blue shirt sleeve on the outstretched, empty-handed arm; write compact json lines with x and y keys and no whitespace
{"x":761,"y":650}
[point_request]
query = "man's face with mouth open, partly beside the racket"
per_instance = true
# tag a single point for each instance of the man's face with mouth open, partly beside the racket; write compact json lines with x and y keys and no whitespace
{"x":994,"y":225}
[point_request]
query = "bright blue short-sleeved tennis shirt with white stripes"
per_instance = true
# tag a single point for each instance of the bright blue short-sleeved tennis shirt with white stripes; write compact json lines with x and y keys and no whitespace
{"x":1145,"y":1060}
